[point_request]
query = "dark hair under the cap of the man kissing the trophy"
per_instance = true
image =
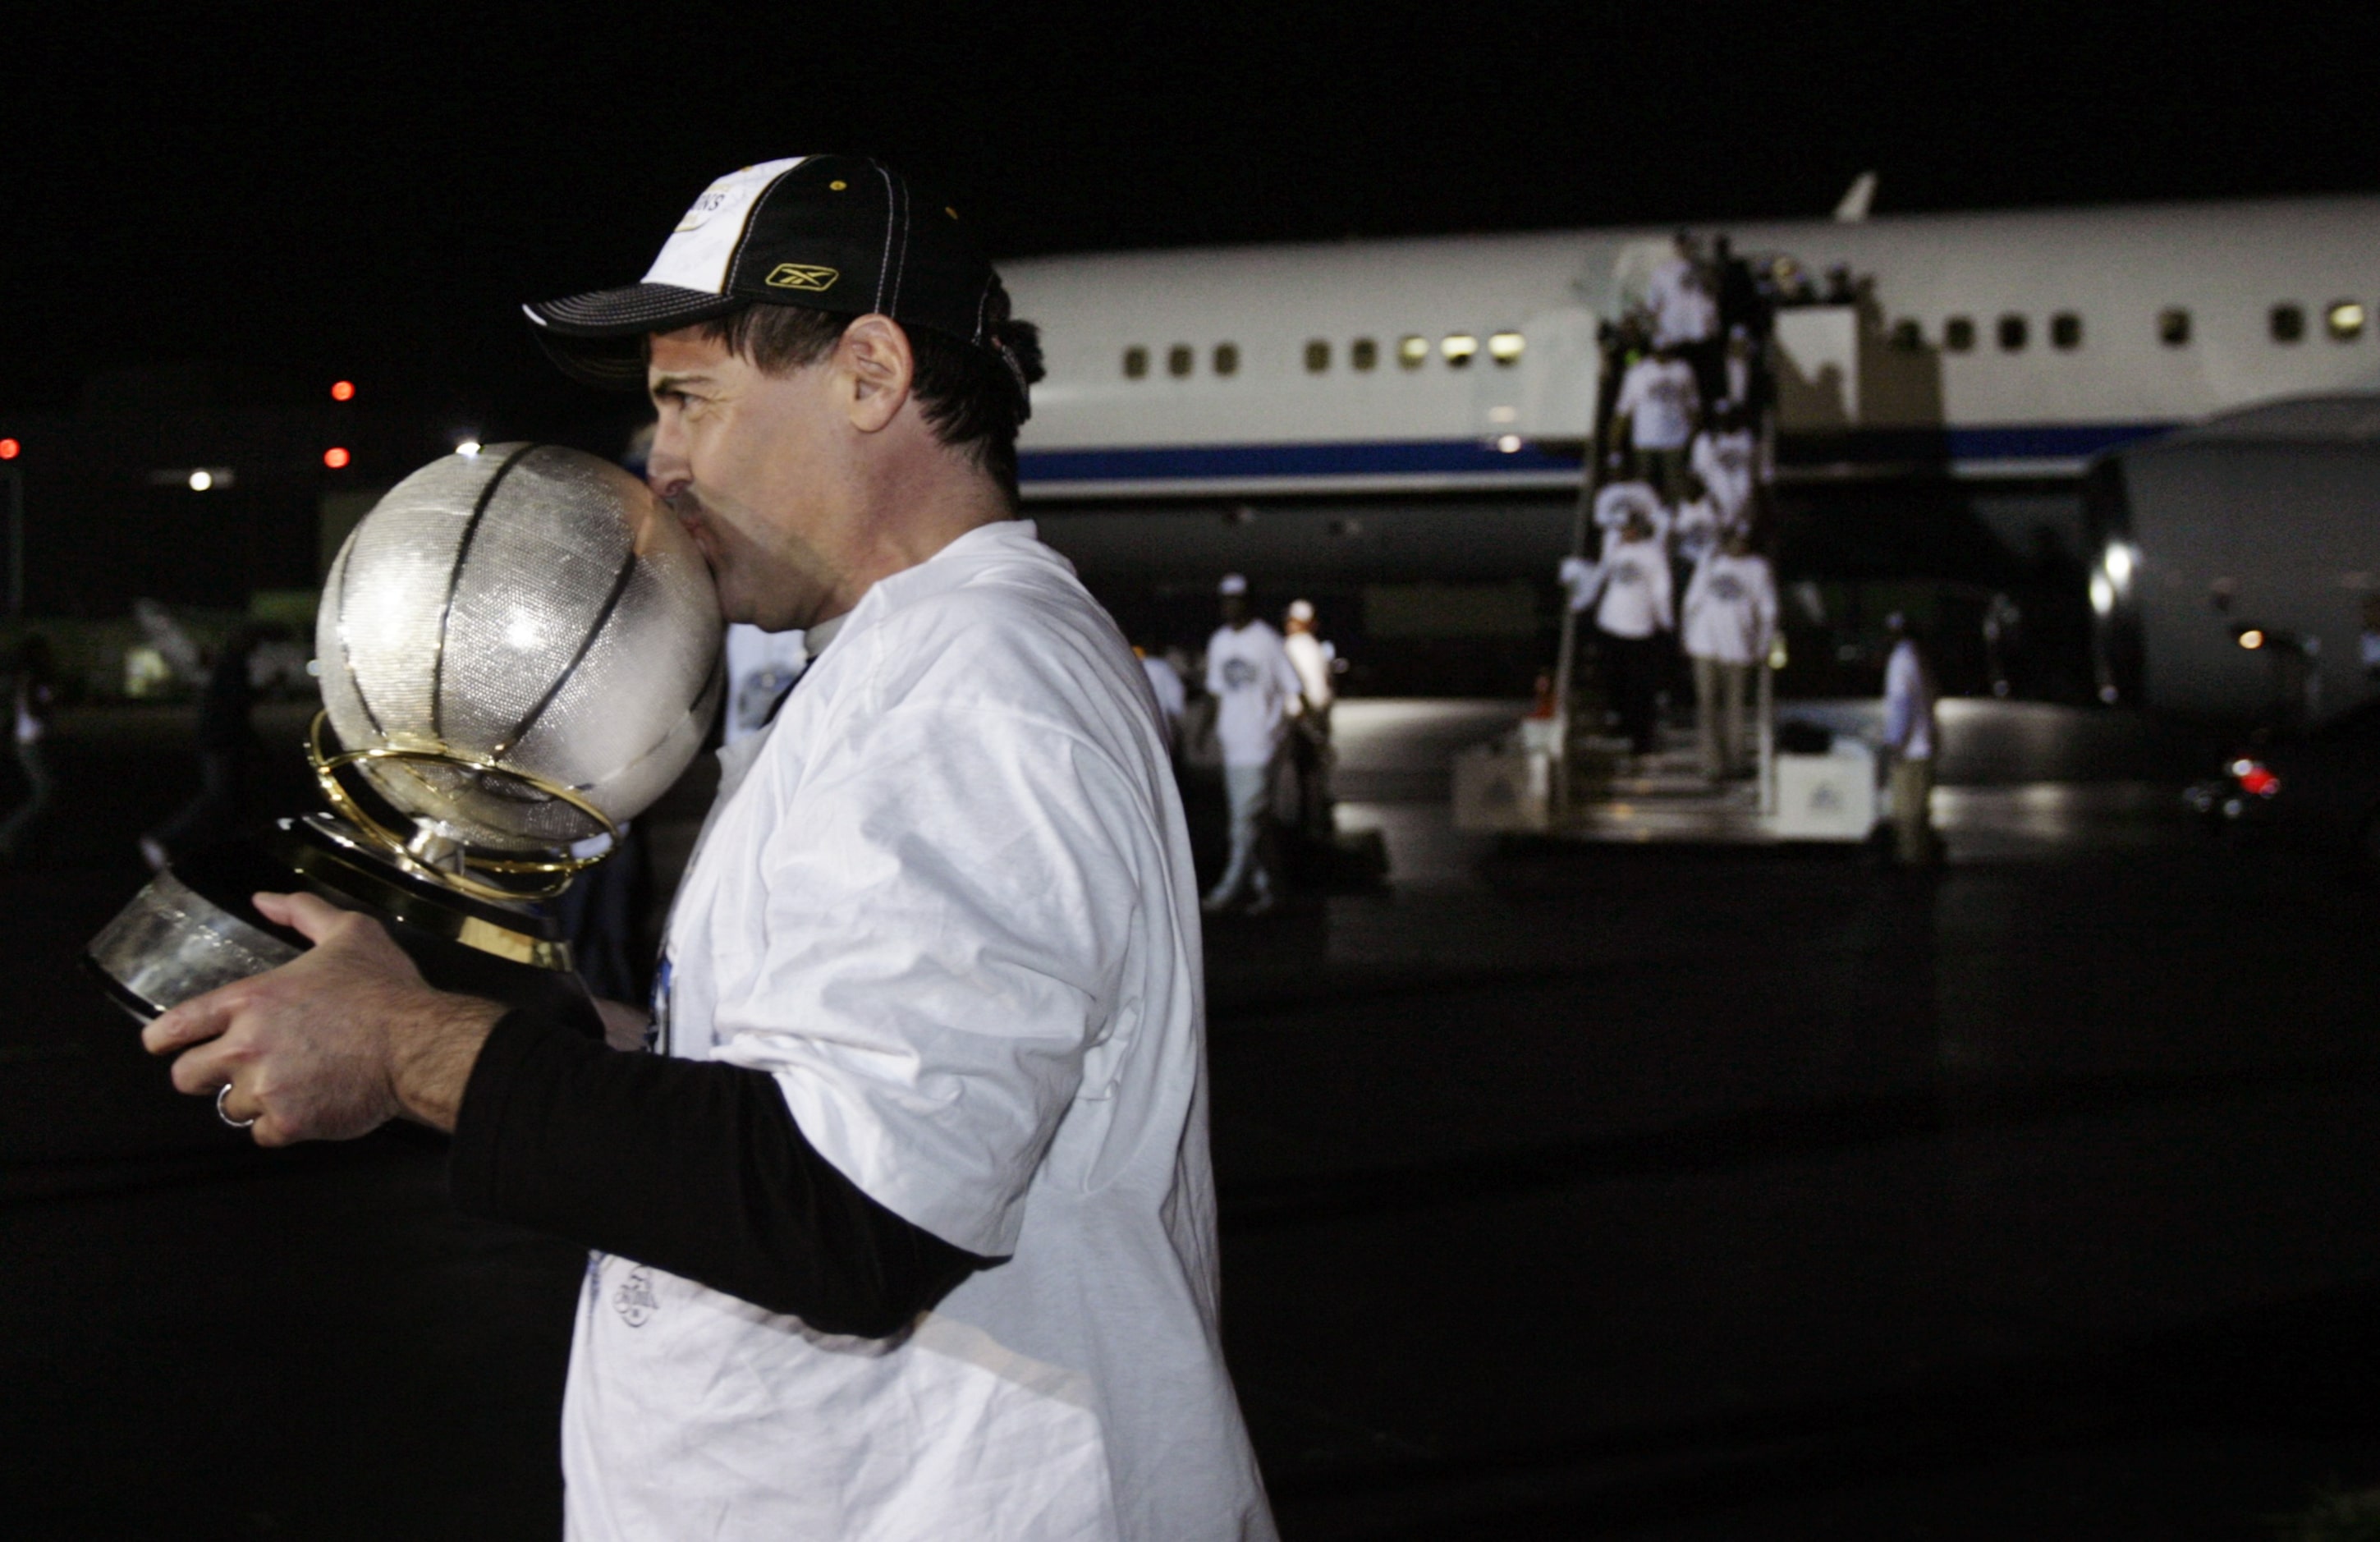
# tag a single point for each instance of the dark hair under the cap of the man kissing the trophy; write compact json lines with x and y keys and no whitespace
{"x":975,"y":401}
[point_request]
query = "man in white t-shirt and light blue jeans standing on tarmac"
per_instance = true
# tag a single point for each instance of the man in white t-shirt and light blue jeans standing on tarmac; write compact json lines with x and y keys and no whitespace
{"x":1255,"y":691}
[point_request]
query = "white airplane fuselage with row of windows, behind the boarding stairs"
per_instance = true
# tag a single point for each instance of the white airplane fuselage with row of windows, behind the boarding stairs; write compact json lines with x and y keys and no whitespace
{"x":1296,"y":415}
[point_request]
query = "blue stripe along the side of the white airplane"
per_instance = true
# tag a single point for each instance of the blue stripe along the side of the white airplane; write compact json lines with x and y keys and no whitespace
{"x":1441,"y":458}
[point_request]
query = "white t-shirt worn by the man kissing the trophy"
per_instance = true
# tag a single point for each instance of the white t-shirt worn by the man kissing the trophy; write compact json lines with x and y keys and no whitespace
{"x":948,"y":903}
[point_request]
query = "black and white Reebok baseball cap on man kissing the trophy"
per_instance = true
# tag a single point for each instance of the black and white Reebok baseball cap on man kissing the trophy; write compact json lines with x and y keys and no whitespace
{"x":829,"y":232}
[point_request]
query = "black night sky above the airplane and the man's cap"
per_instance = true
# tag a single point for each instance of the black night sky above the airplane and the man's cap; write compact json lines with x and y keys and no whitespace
{"x":372,"y":196}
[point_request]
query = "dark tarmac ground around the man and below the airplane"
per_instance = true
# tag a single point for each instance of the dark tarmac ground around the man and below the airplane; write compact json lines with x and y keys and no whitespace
{"x":1565,"y":1191}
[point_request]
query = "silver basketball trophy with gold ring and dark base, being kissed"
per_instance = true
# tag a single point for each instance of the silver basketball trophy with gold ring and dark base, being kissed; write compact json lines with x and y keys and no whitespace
{"x":520,"y":653}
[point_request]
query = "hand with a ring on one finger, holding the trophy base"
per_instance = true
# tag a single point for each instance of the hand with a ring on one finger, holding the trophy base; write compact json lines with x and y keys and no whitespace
{"x":334,"y":1043}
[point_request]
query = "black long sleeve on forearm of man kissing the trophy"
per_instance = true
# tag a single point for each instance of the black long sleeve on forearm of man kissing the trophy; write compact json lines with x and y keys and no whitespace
{"x":691,"y":1167}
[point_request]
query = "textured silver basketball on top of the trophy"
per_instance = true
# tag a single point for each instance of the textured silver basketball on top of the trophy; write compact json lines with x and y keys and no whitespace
{"x":534,"y":608}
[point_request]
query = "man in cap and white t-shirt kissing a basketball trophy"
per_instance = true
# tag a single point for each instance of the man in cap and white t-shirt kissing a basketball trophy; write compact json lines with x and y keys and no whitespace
{"x":901,"y":1198}
